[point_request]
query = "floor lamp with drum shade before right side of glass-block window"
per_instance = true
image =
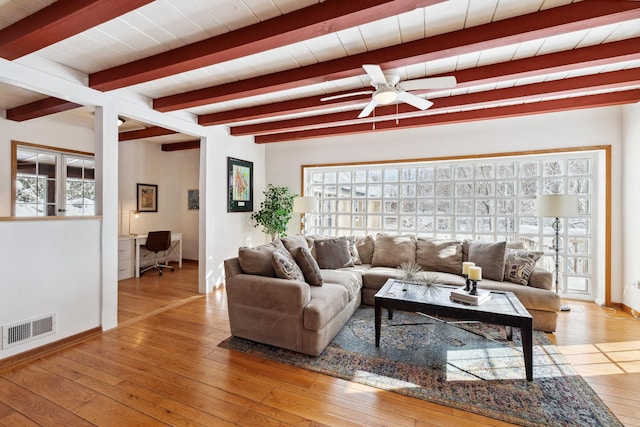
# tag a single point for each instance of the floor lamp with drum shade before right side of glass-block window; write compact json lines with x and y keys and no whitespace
{"x":557,"y":206}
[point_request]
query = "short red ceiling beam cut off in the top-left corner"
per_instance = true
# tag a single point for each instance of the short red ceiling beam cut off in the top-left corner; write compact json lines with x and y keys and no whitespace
{"x":58,"y":21}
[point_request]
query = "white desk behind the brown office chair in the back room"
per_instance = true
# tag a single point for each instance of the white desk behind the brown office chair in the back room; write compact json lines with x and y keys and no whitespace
{"x":127,"y":262}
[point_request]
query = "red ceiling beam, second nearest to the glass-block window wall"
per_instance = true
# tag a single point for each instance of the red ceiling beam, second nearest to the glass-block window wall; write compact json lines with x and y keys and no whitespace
{"x":564,"y":87}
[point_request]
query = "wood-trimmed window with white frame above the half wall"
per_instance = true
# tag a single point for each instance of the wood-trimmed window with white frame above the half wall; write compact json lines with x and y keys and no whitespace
{"x":52,"y":182}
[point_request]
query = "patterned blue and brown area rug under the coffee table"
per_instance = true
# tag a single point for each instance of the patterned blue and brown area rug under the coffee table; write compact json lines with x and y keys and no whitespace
{"x":468,"y":366}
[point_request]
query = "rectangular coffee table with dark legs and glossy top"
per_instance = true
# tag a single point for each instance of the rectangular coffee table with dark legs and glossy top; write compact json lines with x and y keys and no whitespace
{"x":503,"y":308}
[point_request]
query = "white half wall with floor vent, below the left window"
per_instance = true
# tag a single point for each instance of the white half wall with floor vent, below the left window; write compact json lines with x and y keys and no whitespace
{"x":36,"y":282}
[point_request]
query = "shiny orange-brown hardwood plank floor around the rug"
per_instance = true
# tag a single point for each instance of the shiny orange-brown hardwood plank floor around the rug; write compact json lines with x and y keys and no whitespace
{"x":162,"y":366}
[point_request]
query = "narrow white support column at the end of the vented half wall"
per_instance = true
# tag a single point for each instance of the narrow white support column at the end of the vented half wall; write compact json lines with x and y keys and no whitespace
{"x":106,"y":156}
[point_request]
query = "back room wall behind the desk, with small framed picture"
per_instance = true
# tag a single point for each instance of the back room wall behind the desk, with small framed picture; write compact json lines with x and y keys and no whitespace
{"x":174,"y":173}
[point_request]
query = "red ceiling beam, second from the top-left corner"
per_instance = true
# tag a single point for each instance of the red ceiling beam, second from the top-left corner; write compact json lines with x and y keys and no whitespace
{"x":313,"y":21}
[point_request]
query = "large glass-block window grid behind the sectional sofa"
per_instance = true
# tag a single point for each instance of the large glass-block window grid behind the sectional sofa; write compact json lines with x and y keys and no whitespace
{"x":487,"y":199}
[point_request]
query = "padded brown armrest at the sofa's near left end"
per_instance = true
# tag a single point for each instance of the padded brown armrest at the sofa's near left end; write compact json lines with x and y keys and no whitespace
{"x":268,"y":293}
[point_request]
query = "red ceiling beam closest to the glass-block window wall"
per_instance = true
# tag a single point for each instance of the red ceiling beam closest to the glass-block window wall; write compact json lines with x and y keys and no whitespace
{"x":576,"y":103}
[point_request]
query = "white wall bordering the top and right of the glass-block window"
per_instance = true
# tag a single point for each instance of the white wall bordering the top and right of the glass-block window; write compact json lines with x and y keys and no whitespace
{"x":591,"y":127}
